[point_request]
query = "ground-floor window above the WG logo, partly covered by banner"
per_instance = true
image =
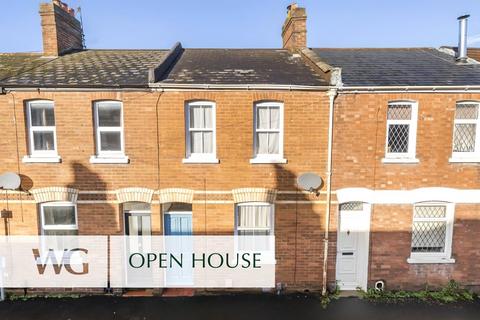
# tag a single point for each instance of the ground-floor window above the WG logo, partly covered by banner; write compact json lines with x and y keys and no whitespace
{"x":59,"y":219}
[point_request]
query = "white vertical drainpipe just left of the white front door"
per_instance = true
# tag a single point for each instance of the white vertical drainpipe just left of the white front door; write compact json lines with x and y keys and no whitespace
{"x":332,"y":93}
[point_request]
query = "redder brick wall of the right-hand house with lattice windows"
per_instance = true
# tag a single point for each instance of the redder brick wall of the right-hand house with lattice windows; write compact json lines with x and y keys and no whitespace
{"x":359,"y":146}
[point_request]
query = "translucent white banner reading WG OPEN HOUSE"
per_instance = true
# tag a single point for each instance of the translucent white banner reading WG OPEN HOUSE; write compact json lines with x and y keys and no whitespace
{"x":137,"y":261}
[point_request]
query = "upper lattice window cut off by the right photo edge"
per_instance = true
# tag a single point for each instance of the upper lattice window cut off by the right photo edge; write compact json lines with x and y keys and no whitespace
{"x":466,"y":139}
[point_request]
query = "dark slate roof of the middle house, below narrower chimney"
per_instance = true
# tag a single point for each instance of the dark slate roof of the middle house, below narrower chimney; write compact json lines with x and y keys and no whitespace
{"x":243,"y":66}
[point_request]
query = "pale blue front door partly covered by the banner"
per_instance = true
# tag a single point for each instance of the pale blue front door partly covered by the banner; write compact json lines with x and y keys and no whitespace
{"x":178,"y":229}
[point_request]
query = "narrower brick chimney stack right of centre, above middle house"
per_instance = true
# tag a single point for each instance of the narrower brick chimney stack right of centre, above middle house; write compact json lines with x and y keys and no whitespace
{"x":294,"y":31}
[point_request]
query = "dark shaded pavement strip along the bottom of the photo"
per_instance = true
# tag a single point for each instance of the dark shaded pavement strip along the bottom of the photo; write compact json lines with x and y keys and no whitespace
{"x":231,"y":307}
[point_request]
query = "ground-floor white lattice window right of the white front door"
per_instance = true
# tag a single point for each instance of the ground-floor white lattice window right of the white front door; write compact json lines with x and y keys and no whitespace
{"x":432,"y":230}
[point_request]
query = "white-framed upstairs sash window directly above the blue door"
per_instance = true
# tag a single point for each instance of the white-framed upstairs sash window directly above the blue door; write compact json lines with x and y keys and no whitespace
{"x":200,"y":133}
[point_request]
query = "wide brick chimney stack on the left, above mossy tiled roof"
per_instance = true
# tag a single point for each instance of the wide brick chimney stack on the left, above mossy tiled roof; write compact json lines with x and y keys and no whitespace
{"x":61,"y":31}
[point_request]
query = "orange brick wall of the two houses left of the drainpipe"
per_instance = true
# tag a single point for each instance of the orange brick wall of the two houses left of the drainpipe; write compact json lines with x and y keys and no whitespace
{"x":296,"y":226}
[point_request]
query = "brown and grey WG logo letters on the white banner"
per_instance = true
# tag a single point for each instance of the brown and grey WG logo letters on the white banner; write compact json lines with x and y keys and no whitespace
{"x":65,"y":261}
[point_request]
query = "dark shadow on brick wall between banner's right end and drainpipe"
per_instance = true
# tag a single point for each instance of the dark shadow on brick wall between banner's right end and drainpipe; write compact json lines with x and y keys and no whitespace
{"x":298,"y":232}
